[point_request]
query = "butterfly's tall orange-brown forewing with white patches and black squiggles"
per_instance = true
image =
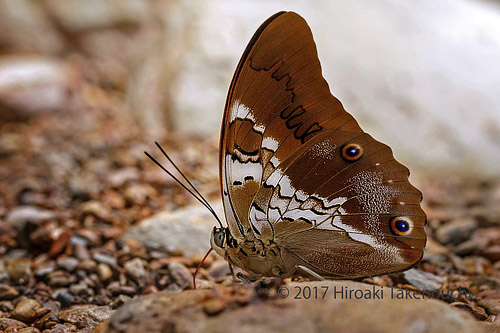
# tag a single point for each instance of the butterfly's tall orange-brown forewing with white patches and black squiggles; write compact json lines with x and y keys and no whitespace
{"x":277,"y":101}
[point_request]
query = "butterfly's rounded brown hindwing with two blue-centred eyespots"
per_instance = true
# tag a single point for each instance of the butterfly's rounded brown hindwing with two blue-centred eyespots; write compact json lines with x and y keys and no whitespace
{"x":317,"y":205}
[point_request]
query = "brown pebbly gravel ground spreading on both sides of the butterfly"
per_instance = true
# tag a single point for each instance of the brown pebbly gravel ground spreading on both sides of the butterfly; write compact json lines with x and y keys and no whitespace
{"x":72,"y":183}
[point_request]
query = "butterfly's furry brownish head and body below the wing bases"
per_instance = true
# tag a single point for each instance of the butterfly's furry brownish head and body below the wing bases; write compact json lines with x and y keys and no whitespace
{"x":249,"y":253}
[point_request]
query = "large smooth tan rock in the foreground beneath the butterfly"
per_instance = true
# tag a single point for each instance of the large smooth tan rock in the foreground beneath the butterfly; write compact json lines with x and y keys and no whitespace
{"x":240,"y":309}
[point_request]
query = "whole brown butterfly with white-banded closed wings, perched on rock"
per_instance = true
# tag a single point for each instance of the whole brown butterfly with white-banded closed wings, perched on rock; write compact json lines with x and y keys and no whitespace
{"x":305,"y":190}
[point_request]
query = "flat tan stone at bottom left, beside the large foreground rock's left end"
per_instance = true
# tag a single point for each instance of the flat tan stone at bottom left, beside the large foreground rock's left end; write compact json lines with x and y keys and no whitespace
{"x":83,"y":316}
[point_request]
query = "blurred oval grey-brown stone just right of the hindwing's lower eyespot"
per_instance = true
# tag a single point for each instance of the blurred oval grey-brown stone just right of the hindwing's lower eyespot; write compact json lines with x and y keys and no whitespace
{"x":456,"y":231}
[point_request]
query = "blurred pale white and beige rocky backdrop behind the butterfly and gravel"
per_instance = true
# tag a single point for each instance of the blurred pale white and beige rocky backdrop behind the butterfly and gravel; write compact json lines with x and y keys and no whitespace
{"x":421,"y":76}
